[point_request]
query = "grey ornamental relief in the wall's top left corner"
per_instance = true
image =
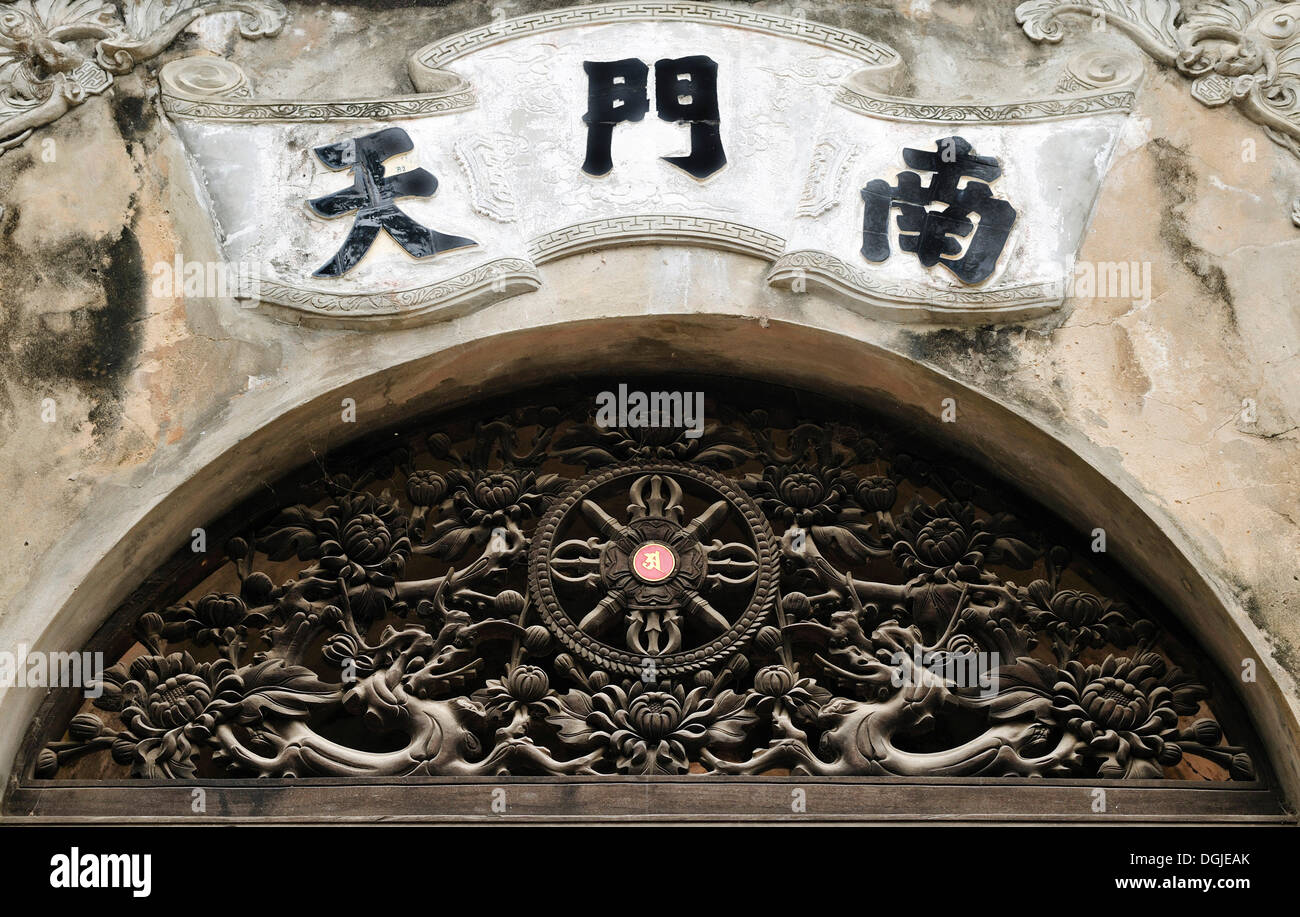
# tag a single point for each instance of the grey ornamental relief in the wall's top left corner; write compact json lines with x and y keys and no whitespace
{"x":55,"y":54}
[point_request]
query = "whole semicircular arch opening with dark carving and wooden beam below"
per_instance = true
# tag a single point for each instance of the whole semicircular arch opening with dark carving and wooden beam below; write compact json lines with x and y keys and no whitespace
{"x":531,"y":595}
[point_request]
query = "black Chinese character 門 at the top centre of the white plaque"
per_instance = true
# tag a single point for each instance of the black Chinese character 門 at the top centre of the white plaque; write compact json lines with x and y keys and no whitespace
{"x":686,"y":93}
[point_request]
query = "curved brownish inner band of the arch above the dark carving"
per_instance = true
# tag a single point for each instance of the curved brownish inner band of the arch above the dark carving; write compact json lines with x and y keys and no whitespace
{"x":1045,"y":466}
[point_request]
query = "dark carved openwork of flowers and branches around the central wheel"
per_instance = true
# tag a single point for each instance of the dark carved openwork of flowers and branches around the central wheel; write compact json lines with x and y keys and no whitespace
{"x":545,"y":596}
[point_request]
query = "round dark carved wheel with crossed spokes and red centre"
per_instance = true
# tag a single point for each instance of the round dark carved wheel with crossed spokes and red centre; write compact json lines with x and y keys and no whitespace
{"x":657,"y":576}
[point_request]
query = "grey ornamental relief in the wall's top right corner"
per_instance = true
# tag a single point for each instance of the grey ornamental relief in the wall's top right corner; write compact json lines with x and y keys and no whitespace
{"x":1246,"y":53}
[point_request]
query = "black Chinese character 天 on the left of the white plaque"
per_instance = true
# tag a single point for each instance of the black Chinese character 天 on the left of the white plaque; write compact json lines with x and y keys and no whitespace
{"x":372,"y":196}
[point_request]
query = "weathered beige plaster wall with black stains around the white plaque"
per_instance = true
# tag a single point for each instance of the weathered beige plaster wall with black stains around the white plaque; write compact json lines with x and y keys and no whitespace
{"x":150,"y":392}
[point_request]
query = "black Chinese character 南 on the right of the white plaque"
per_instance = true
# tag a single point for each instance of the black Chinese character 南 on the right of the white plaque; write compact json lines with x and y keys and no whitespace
{"x":930,"y":233}
